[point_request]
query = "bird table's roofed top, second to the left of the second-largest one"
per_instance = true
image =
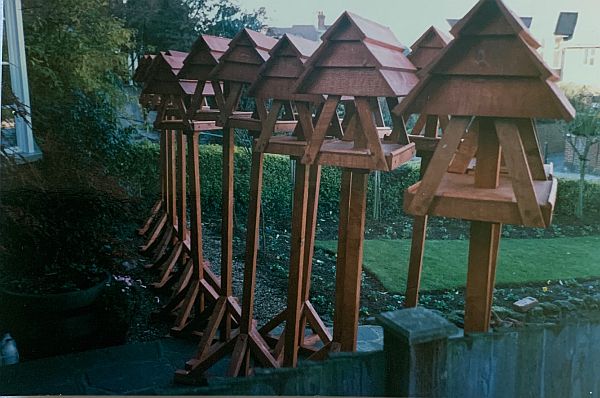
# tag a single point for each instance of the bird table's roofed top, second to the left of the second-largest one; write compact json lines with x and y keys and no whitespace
{"x":238,"y":67}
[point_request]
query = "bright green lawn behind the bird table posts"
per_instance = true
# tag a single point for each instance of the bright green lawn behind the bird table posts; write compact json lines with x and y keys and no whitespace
{"x":445,"y":262}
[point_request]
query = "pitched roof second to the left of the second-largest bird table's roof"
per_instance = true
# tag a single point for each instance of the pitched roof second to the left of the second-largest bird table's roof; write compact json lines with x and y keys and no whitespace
{"x":246,"y":53}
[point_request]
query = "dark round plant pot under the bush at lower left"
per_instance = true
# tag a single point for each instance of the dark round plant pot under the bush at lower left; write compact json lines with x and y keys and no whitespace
{"x":53,"y":324}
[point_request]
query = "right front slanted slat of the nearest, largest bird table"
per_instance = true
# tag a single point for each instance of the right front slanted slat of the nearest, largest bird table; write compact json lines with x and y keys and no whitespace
{"x":516,"y":162}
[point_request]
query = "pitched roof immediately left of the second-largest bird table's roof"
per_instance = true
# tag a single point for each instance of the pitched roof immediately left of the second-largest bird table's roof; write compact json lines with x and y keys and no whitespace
{"x":277,"y":77}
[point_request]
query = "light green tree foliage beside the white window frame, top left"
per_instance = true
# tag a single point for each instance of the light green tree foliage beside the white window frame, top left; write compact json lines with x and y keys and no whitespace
{"x":73,"y":45}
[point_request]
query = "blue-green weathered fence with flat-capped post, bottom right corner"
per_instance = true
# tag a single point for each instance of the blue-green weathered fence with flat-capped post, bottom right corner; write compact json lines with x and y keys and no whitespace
{"x":427,"y":356}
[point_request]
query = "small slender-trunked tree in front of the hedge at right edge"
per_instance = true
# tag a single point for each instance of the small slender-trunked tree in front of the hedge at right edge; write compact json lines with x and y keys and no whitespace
{"x":582,"y":134}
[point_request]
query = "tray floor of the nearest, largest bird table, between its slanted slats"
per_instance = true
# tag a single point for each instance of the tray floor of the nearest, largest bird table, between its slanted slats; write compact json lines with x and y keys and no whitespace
{"x":457,"y":197}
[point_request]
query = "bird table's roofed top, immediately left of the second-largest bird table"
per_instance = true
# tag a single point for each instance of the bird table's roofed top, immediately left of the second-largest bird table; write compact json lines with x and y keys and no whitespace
{"x":276,"y":81}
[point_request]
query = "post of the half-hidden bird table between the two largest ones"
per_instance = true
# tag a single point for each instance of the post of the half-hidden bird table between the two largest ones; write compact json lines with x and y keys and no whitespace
{"x":415,"y":265}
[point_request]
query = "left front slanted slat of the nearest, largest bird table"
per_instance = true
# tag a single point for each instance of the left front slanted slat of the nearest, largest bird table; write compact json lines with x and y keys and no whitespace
{"x":438,"y":165}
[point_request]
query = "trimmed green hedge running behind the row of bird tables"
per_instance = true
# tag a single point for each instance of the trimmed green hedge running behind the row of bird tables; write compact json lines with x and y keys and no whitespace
{"x":142,"y":172}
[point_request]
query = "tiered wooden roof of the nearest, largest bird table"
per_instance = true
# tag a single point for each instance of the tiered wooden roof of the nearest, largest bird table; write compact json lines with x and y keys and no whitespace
{"x":491,"y":68}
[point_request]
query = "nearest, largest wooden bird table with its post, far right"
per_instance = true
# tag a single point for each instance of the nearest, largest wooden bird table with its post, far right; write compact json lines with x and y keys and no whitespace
{"x":492,"y":83}
